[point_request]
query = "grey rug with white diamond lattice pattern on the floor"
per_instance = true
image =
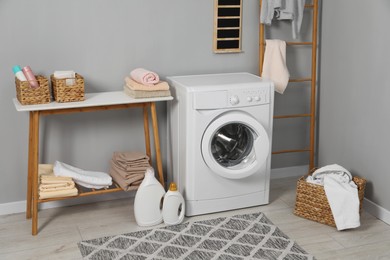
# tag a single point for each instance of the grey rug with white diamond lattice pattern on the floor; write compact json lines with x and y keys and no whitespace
{"x":248,"y":236}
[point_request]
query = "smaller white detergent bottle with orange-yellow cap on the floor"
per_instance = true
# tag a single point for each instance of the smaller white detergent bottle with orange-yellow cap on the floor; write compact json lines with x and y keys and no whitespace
{"x":173,"y":207}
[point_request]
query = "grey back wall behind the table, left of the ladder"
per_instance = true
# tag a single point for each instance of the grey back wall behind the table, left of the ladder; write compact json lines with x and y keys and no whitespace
{"x":103,"y":40}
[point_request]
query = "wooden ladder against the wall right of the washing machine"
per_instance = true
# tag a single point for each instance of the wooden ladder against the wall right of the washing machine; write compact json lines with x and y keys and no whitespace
{"x":312,"y":113}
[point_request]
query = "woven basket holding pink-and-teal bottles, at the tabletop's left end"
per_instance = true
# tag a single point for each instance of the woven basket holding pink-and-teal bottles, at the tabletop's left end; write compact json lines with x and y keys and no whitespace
{"x":32,"y":96}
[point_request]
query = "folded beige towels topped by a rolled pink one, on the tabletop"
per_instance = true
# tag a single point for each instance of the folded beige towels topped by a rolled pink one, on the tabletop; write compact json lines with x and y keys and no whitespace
{"x":145,"y":84}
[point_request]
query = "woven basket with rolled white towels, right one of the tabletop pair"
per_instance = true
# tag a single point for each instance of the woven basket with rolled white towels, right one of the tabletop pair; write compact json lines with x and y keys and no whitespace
{"x":68,"y":93}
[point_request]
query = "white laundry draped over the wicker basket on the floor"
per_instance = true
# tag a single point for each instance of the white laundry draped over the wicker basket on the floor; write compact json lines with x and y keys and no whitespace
{"x":342,"y":194}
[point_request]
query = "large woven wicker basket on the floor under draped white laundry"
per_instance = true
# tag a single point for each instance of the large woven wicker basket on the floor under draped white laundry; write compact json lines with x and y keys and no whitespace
{"x":312,"y":203}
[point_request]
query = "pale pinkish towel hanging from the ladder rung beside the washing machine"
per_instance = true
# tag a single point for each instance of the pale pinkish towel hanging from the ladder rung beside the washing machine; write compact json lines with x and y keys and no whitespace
{"x":274,"y":65}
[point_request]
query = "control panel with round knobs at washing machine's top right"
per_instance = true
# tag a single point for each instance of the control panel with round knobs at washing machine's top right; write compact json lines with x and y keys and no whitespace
{"x":248,"y":97}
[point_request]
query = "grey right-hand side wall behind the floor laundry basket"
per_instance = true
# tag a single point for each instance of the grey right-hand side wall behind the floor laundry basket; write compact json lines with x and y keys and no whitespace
{"x":355,"y":90}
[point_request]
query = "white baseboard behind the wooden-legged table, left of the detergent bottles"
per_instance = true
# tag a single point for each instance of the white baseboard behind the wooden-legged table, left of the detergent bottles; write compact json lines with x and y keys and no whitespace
{"x":20,"y":206}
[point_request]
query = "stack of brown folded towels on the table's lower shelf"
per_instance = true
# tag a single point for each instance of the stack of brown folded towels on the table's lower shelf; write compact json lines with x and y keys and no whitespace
{"x":128,"y":169}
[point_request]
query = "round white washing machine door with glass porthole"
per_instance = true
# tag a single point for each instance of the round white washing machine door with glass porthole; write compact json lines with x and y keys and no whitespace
{"x":235,"y":145}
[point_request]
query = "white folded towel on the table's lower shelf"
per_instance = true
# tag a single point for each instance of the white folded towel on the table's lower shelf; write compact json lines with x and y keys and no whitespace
{"x":89,"y":179}
